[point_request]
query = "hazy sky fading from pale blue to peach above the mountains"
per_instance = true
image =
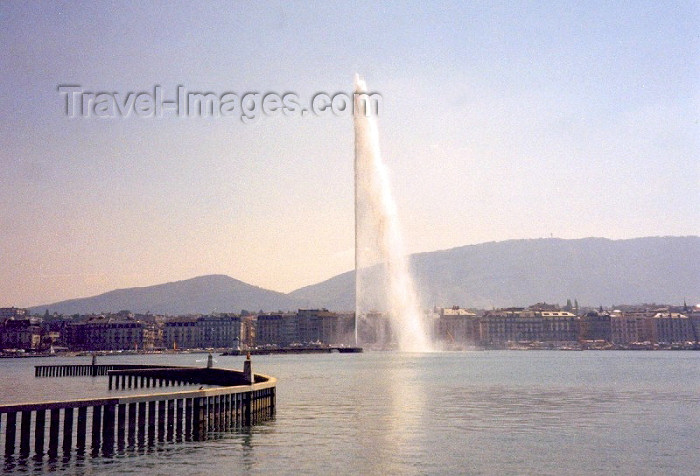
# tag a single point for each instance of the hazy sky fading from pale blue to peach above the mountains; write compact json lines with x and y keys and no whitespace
{"x":499,"y":120}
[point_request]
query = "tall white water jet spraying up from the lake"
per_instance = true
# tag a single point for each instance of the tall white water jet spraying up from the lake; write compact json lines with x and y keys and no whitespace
{"x":383,"y":281}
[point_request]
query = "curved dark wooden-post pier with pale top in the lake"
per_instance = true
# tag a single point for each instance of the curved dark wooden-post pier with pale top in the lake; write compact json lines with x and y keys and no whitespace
{"x":103,"y":426}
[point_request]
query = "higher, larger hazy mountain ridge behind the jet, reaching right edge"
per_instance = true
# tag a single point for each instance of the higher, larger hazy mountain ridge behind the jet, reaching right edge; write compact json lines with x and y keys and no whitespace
{"x":524,"y":271}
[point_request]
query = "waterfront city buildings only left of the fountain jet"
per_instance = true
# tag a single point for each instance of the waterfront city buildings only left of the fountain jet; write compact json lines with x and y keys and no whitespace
{"x":128,"y":331}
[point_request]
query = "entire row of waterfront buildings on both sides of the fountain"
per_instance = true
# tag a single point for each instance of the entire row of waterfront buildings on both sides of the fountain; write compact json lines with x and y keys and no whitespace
{"x":453,"y":328}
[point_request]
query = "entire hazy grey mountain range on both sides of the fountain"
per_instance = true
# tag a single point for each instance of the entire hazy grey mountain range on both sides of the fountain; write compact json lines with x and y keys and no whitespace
{"x":507,"y":273}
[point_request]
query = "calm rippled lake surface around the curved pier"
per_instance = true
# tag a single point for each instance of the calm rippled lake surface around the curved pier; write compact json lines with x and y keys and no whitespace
{"x":488,"y":412}
